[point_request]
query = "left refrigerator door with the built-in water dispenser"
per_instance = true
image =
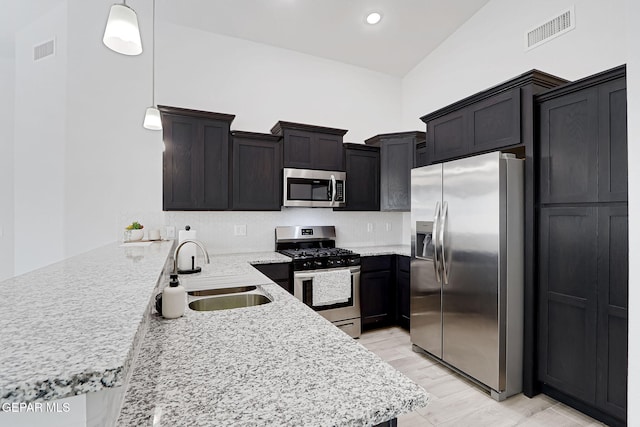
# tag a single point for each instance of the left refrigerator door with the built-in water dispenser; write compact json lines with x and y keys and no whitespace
{"x":426,"y":286}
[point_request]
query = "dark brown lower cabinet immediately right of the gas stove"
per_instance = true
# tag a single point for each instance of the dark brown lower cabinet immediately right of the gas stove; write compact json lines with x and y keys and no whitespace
{"x":377,"y":291}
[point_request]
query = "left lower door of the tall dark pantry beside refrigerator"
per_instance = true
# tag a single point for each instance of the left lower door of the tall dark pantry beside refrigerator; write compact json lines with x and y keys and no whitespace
{"x":568,"y":302}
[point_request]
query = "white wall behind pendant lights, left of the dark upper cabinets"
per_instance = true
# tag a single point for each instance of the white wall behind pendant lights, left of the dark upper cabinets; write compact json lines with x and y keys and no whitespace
{"x":112,"y":162}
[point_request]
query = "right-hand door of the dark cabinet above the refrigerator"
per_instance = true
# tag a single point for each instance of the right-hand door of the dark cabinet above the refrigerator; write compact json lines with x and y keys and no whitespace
{"x":496,"y":122}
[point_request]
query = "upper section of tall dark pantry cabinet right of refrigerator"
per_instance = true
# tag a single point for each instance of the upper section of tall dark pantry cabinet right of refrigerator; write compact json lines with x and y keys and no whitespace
{"x":583,"y":141}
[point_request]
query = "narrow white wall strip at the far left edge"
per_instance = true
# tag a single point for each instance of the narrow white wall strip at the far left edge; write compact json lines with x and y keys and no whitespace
{"x":7,"y":71}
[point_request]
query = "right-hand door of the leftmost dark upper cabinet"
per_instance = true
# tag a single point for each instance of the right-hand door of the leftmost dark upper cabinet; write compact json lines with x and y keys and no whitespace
{"x":215,"y":185}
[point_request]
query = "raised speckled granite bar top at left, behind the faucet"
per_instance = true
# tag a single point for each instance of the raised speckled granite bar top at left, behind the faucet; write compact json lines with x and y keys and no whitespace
{"x":71,"y":327}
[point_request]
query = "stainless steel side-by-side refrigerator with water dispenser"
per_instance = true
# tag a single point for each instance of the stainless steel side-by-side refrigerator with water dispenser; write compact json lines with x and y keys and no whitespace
{"x":467,"y":253}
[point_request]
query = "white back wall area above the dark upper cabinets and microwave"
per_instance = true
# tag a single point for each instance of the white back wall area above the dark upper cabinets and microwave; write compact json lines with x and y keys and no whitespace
{"x":262,"y":84}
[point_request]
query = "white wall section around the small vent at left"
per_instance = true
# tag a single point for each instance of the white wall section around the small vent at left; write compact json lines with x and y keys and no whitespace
{"x":39,"y":150}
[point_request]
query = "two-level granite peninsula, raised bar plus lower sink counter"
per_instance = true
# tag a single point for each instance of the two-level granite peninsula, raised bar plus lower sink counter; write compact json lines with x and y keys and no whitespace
{"x":279,"y":363}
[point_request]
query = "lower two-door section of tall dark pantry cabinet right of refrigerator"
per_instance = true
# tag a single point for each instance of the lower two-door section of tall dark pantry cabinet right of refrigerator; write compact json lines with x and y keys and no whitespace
{"x":583,"y":326}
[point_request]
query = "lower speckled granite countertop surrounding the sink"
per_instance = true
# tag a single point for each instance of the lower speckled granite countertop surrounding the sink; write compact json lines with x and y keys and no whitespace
{"x":275,"y":364}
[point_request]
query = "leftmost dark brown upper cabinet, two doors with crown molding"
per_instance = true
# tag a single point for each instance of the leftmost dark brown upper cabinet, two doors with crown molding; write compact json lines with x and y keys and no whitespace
{"x":196,"y":159}
